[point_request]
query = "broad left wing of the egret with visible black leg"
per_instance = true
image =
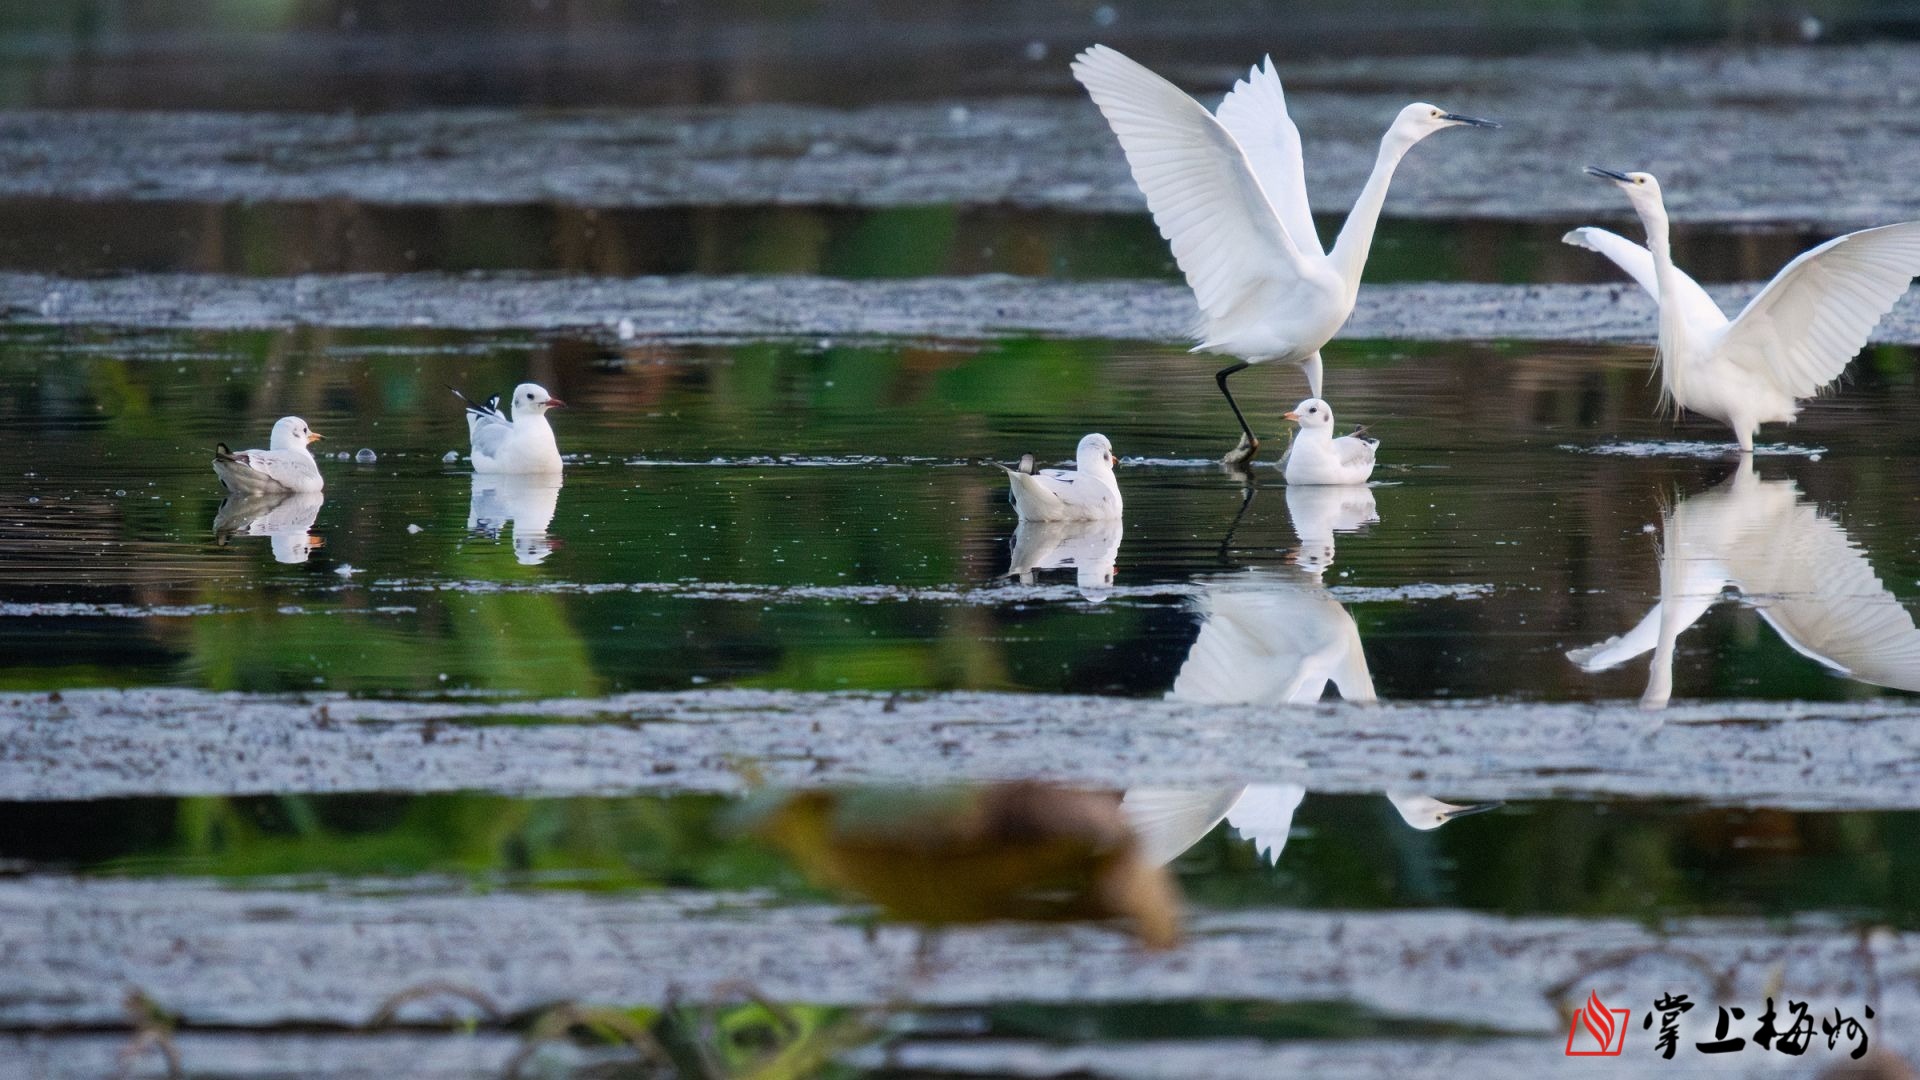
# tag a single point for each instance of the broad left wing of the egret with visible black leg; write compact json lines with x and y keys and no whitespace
{"x":1205,"y":197}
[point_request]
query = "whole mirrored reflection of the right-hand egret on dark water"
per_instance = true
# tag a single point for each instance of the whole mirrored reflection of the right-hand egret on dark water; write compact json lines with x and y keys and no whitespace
{"x":1792,"y":564}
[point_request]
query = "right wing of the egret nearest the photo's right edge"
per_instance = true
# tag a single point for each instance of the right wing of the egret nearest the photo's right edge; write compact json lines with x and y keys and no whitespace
{"x":1817,"y":314}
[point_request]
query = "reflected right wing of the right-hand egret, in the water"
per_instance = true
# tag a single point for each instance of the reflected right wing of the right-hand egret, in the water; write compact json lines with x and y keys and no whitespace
{"x":1823,"y":597}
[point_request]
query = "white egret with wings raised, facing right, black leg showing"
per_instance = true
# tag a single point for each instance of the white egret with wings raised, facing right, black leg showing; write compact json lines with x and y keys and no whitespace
{"x":1230,"y":193}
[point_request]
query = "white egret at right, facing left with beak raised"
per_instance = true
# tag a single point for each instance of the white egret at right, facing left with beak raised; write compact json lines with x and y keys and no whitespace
{"x":1788,"y":343}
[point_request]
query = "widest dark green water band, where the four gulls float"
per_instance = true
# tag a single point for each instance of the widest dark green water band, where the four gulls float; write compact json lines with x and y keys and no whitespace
{"x":823,"y":516}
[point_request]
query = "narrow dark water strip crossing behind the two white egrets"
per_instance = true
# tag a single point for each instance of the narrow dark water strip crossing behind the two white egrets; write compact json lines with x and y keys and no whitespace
{"x":105,"y":237}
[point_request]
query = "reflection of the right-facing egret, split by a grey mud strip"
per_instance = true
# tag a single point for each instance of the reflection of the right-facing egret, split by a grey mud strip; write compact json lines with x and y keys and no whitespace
{"x":1266,"y":639}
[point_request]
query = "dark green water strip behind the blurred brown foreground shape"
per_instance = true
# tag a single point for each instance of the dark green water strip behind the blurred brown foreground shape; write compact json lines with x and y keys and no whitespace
{"x":1347,"y":852}
